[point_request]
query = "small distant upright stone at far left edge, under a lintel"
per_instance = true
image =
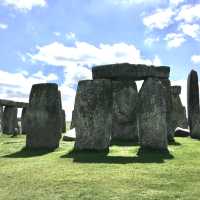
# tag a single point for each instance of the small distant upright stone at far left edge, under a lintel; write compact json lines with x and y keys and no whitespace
{"x":9,"y":120}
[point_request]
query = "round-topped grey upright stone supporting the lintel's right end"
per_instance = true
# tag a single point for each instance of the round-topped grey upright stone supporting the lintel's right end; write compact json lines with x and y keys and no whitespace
{"x":152,"y":115}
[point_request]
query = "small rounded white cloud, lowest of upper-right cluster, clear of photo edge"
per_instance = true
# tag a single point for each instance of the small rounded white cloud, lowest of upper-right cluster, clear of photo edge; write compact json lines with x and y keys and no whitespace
{"x":174,"y":40}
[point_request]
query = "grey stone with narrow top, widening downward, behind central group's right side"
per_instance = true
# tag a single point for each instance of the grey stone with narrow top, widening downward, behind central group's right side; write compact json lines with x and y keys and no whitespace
{"x":178,"y":112}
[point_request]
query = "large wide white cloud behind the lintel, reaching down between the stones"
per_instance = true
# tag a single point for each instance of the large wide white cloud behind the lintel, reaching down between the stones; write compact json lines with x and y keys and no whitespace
{"x":77,"y":61}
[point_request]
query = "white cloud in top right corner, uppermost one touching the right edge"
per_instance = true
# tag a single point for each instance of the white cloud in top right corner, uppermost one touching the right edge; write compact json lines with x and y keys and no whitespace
{"x":189,"y":13}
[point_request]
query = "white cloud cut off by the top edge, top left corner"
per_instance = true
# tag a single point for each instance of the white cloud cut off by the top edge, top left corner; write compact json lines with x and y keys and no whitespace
{"x":24,"y":5}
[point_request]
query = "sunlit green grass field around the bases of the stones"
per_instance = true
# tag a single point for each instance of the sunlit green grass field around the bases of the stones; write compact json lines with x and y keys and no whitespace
{"x":120,"y":174}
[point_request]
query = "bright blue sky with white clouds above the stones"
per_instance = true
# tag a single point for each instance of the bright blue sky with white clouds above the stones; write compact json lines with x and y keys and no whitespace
{"x":60,"y":40}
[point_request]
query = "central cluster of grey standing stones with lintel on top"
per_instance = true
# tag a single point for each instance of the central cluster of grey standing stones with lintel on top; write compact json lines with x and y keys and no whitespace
{"x":144,"y":115}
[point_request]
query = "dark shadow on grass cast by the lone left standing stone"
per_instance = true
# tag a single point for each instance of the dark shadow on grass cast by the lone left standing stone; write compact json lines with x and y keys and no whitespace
{"x":26,"y":153}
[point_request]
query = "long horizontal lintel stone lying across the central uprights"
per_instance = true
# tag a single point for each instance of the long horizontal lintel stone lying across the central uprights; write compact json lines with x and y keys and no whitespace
{"x":125,"y":71}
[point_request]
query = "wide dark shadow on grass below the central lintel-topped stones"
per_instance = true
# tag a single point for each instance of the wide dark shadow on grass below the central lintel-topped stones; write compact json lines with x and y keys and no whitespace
{"x":143,"y":156}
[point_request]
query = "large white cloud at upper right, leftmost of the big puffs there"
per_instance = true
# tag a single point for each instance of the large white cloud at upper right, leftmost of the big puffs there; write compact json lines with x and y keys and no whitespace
{"x":160,"y":19}
